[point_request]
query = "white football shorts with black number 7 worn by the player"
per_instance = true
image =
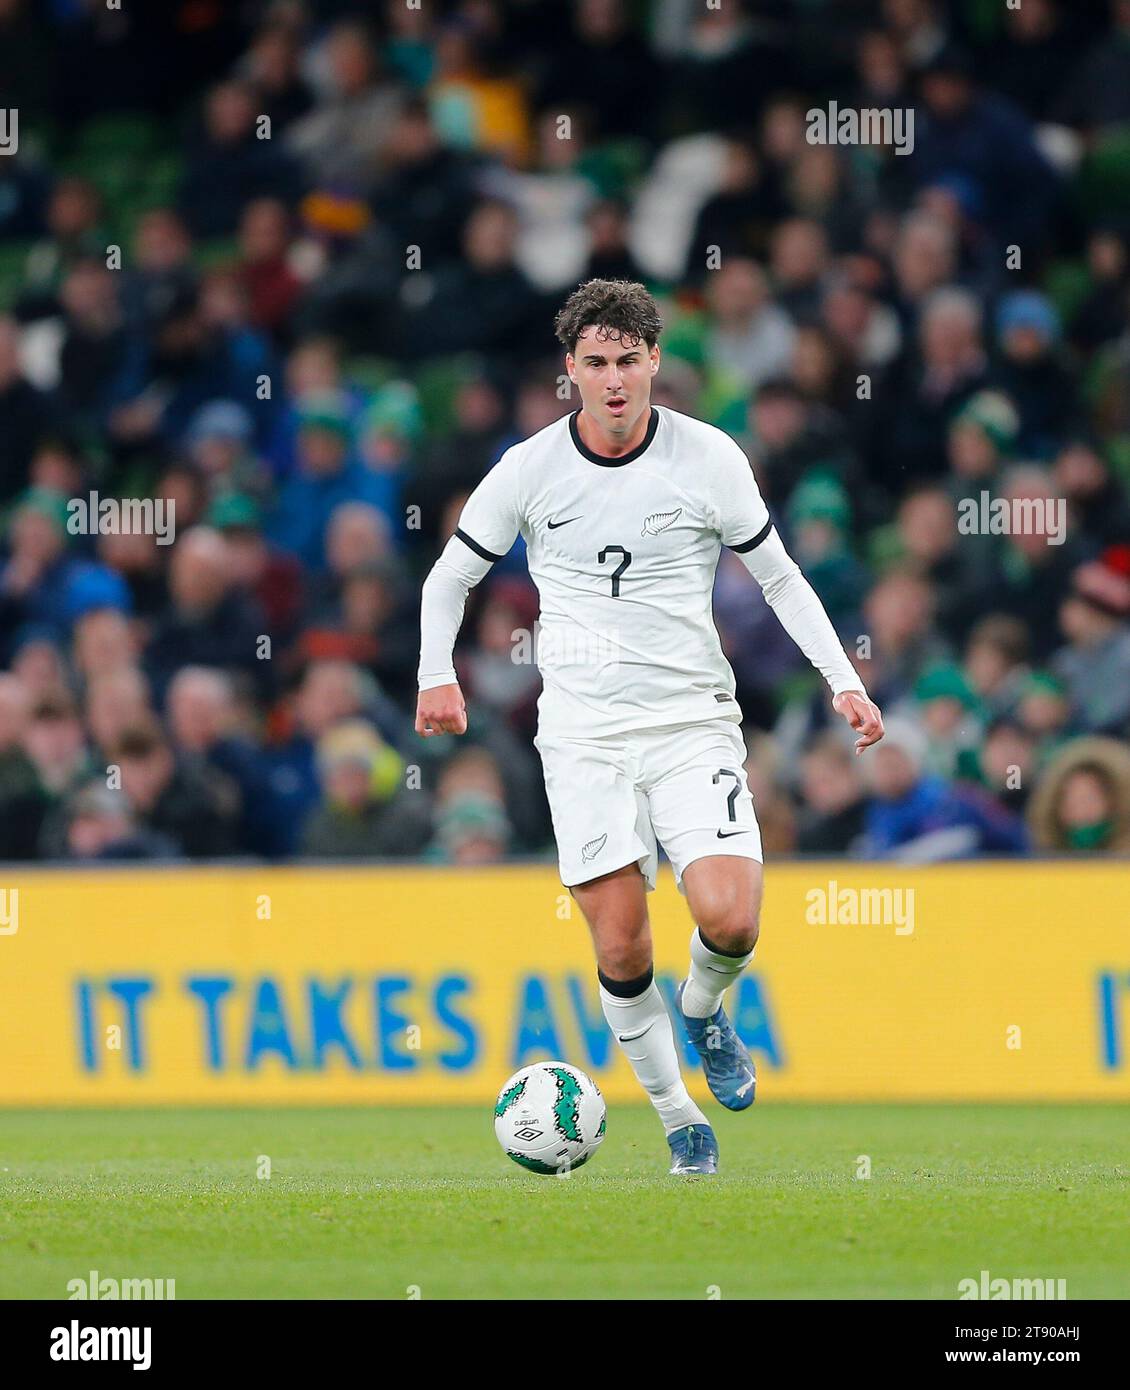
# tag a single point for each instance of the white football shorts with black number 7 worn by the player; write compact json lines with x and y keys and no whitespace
{"x":615,"y":800}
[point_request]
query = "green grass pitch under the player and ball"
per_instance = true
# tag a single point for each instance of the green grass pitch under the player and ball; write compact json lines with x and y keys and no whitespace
{"x":377,"y":1203}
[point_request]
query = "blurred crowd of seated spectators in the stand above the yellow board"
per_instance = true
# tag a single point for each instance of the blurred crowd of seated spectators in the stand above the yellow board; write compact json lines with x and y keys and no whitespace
{"x":294,"y":266}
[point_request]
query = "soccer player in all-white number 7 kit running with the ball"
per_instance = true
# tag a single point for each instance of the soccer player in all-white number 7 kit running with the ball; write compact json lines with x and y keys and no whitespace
{"x":625,"y":508}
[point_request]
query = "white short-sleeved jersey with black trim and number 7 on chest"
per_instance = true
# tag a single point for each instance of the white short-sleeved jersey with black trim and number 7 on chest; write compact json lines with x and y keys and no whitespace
{"x":623,"y":554}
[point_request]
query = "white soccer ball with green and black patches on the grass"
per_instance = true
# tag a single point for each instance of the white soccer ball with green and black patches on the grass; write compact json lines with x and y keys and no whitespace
{"x":550,"y":1118}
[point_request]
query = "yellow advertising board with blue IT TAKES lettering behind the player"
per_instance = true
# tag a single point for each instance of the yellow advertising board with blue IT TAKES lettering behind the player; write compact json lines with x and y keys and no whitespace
{"x":388,"y":985}
